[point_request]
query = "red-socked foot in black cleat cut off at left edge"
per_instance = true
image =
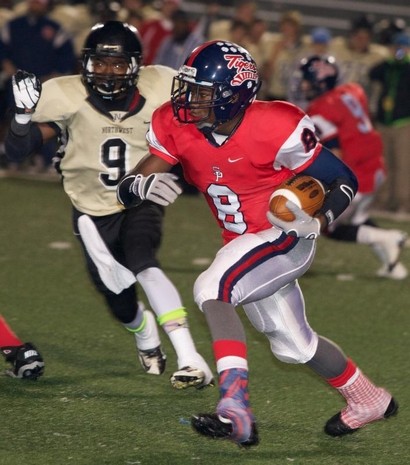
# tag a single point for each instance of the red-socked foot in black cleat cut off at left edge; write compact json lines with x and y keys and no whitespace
{"x":25,"y":359}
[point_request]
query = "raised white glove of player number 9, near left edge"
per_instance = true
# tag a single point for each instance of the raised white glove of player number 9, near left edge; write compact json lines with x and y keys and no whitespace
{"x":26,"y":91}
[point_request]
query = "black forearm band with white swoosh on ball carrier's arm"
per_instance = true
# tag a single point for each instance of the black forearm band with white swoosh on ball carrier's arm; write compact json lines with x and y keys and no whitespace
{"x":339,"y":196}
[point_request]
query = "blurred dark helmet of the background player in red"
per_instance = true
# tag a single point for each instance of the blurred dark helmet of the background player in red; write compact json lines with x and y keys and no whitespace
{"x":321,"y":72}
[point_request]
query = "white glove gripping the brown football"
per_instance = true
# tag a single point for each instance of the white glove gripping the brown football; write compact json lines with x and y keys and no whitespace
{"x":303,"y":225}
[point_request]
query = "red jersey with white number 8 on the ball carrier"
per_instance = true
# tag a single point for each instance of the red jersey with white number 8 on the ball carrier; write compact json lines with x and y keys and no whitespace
{"x":274,"y":141}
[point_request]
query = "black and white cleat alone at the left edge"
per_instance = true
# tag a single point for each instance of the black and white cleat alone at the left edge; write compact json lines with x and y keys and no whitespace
{"x":26,"y":360}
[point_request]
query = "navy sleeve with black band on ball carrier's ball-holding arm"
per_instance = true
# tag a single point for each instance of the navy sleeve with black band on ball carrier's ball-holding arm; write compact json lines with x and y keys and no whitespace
{"x":339,"y":181}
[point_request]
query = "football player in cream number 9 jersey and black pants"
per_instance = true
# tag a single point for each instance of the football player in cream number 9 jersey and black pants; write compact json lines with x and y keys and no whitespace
{"x":104,"y":113}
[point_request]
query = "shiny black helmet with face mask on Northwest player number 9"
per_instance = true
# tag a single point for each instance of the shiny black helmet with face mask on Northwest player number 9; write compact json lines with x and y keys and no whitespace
{"x":111,"y":39}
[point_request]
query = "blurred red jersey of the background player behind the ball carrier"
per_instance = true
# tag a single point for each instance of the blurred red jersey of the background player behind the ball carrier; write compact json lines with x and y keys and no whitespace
{"x":343,"y":113}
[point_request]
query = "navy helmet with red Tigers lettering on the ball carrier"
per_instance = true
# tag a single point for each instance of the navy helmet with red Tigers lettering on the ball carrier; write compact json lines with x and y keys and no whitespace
{"x":226,"y":68}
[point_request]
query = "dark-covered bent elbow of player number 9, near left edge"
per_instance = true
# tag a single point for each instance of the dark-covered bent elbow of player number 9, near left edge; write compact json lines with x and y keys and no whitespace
{"x":22,"y":140}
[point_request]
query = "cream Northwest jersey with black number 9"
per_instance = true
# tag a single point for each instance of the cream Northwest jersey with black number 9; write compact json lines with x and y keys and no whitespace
{"x":101,"y":147}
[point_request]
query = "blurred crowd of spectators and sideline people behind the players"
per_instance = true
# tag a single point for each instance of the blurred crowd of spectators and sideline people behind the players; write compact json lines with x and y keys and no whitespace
{"x":46,"y":36}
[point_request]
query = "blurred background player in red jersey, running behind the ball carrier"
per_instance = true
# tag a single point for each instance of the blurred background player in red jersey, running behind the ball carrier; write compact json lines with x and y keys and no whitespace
{"x":341,"y":117}
